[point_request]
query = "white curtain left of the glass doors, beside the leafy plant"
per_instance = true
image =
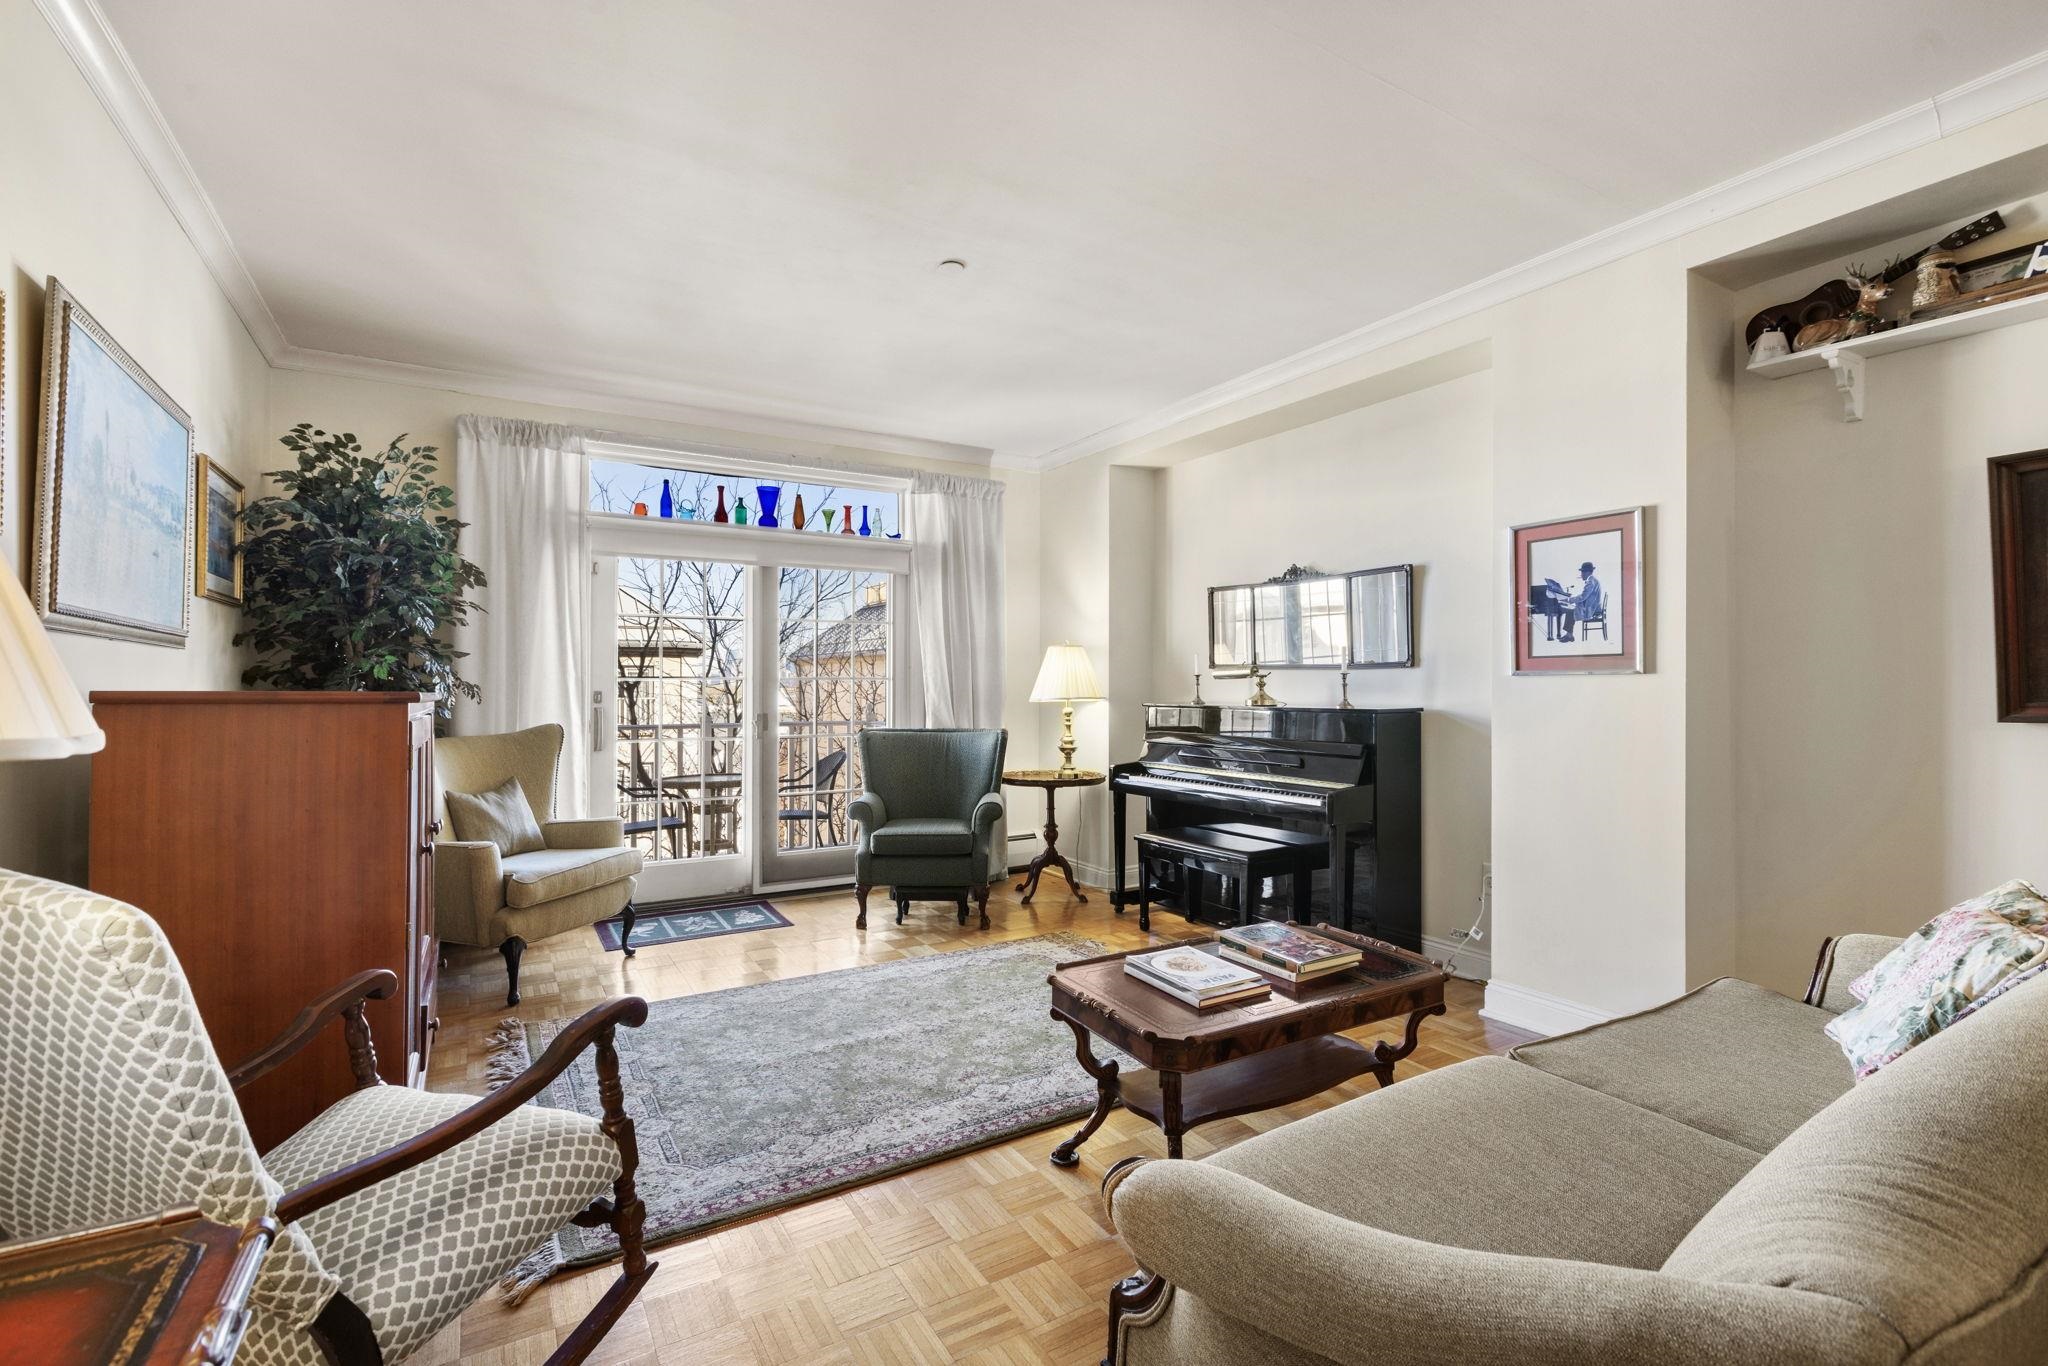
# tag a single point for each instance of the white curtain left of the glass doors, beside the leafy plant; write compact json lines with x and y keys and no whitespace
{"x":523,"y":488}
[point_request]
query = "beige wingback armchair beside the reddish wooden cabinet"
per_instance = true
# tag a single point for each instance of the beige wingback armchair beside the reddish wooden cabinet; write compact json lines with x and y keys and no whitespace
{"x":505,"y":902}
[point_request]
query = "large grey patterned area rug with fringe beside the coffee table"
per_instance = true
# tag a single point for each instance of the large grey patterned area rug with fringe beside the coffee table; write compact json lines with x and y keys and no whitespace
{"x":761,"y":1097}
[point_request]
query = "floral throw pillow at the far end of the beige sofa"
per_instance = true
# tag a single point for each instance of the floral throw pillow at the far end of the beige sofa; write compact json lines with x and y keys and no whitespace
{"x":1951,"y":968}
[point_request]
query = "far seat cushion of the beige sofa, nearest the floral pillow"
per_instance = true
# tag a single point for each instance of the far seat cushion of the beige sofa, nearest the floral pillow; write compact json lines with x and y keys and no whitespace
{"x":1732,"y":1060}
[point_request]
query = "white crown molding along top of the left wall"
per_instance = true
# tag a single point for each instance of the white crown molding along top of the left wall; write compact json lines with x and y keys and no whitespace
{"x":105,"y":65}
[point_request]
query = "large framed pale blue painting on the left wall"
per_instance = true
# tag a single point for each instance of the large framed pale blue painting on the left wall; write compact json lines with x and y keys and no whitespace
{"x":114,"y":529}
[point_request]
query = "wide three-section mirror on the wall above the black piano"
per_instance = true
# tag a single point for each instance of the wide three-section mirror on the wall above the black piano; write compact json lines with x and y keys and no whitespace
{"x":1308,"y":620}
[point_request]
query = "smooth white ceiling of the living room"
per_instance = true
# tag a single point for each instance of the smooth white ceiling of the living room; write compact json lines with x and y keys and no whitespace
{"x":744,"y":202}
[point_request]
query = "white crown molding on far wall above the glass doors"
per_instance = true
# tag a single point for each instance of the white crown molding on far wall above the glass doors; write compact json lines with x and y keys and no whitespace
{"x":640,"y":400}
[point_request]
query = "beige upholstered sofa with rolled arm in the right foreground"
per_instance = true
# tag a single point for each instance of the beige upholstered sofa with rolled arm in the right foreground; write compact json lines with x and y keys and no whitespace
{"x":1695,"y":1185}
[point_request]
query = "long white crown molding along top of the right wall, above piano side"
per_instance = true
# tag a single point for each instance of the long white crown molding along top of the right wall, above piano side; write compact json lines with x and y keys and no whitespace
{"x":1926,"y":122}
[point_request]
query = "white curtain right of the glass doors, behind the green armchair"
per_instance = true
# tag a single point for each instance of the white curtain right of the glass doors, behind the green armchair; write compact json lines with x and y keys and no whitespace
{"x":955,"y":531}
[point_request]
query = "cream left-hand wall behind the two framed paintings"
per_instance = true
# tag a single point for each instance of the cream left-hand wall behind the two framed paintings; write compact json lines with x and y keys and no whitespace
{"x":75,"y":204}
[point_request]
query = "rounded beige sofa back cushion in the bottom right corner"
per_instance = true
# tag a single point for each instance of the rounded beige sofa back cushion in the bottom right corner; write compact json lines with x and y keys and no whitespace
{"x":1918,"y":1195}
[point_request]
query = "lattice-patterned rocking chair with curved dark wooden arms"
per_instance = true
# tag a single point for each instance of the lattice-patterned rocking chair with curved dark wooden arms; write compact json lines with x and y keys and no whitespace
{"x":398,"y":1207}
